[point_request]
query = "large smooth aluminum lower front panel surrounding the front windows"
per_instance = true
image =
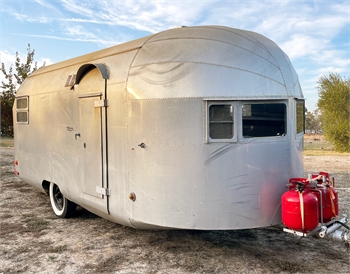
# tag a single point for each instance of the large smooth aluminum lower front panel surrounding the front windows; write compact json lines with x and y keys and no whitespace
{"x":181,"y":182}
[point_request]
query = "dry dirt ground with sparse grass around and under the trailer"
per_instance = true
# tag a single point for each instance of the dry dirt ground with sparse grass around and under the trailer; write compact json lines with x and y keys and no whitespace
{"x":33,"y":240}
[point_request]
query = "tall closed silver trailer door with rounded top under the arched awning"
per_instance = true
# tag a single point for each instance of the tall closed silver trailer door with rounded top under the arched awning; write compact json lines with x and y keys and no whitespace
{"x":91,"y":136}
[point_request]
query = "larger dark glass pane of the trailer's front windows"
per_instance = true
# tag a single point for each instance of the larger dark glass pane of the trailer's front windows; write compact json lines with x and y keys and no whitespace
{"x":264,"y":120}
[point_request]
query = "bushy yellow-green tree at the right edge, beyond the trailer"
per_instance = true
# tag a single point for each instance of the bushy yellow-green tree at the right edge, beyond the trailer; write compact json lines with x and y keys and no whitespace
{"x":334,"y":105}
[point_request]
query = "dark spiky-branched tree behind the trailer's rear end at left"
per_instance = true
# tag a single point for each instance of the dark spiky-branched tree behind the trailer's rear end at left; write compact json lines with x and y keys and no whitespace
{"x":10,"y":85}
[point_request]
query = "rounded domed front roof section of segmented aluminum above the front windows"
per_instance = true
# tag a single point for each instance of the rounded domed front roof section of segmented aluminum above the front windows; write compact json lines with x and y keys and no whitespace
{"x":211,"y":62}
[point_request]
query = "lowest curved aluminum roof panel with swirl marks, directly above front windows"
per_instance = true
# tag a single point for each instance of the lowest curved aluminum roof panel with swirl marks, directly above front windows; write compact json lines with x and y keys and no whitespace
{"x":190,"y":80}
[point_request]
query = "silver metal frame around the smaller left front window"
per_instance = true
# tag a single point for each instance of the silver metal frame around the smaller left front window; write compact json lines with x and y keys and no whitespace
{"x":233,"y":104}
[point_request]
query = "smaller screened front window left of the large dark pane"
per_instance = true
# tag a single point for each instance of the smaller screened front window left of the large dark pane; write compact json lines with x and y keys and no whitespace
{"x":221,"y":121}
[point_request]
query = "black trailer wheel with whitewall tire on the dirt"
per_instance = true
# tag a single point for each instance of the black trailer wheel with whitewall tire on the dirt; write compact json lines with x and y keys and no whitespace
{"x":61,"y":206}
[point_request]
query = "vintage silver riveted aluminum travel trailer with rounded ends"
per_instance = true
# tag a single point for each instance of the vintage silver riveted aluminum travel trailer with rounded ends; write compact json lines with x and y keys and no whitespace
{"x":189,"y":128}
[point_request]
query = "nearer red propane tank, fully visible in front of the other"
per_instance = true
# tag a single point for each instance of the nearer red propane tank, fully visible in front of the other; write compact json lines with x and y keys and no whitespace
{"x":300,"y":210}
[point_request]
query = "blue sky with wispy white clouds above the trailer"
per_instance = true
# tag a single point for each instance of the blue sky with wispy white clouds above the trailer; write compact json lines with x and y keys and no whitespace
{"x":314,"y":34}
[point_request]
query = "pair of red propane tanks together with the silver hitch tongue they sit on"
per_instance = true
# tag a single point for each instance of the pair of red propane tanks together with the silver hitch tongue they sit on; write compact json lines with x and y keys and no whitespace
{"x":310,"y":208}
